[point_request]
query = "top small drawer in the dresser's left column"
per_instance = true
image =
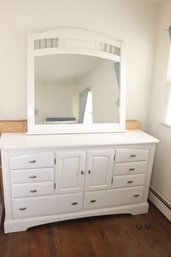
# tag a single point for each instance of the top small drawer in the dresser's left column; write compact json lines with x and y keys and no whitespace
{"x":31,"y":161}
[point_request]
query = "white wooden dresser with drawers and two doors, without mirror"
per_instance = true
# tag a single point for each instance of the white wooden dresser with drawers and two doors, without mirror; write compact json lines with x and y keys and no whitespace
{"x":50,"y":178}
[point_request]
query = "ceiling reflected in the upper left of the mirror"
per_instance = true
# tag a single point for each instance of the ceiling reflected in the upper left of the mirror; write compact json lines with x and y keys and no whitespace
{"x":63,"y":69}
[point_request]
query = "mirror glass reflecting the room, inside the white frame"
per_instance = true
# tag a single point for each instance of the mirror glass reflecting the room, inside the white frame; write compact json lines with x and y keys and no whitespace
{"x":75,"y":88}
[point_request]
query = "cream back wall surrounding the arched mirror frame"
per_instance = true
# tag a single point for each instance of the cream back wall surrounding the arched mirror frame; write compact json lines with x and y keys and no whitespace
{"x":133,"y":21}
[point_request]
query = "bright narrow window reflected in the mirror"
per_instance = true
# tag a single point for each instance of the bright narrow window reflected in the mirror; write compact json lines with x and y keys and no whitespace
{"x":88,"y":116}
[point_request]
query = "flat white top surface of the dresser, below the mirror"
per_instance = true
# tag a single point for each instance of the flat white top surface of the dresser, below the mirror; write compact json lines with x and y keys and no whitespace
{"x":22,"y":140}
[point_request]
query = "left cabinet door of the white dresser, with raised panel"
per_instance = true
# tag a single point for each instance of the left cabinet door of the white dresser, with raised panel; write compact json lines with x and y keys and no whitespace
{"x":70,"y":171}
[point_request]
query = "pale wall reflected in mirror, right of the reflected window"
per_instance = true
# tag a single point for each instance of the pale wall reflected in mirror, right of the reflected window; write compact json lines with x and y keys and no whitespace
{"x":105,"y":92}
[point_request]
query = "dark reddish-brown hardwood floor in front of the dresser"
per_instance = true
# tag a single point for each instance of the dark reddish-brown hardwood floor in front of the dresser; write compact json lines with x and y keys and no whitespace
{"x":146,"y":235}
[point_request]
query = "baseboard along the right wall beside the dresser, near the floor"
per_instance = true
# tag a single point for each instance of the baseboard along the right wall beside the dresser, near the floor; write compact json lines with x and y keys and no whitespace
{"x":160,"y":202}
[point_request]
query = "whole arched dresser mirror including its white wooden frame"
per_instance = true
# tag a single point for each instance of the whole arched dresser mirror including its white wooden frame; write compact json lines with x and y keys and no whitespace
{"x":76,"y":82}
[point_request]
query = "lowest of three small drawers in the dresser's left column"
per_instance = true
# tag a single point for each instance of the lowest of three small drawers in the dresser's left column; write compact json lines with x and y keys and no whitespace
{"x":32,"y":189}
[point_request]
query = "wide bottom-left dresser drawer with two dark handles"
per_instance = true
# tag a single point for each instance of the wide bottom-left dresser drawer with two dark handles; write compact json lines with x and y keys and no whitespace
{"x":49,"y":205}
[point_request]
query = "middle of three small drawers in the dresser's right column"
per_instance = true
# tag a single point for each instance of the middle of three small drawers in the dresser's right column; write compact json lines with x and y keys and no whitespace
{"x":130,"y":168}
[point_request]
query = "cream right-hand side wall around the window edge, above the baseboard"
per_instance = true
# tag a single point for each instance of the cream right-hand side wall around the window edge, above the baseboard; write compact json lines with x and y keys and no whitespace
{"x":161,"y":179}
